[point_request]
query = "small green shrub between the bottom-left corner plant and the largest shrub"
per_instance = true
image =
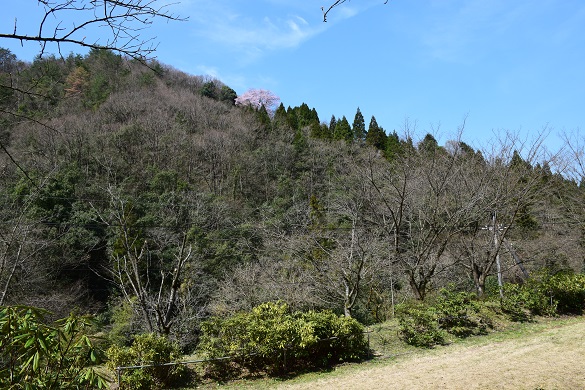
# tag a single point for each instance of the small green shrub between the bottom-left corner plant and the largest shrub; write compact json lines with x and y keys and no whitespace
{"x":145,"y":350}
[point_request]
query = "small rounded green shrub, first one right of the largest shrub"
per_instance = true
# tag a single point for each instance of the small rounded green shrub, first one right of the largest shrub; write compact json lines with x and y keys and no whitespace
{"x":419,"y":325}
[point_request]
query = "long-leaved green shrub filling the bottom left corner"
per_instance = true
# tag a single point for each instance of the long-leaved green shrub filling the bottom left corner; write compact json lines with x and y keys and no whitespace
{"x":34,"y":355}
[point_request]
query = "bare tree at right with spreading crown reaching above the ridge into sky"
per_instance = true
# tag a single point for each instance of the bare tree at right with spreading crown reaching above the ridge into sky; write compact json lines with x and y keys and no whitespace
{"x":506,"y":187}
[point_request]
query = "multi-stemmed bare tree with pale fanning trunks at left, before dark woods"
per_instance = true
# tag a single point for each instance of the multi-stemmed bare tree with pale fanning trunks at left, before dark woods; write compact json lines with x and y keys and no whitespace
{"x":157,"y":290}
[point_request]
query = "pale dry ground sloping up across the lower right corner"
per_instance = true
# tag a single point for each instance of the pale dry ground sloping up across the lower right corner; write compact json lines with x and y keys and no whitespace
{"x":551,"y":359}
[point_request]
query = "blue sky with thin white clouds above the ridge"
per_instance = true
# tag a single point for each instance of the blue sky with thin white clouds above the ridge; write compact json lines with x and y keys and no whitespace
{"x":501,"y":65}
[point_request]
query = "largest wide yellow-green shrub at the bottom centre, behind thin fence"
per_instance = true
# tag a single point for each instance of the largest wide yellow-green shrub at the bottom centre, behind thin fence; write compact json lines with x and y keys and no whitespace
{"x":270,"y":338}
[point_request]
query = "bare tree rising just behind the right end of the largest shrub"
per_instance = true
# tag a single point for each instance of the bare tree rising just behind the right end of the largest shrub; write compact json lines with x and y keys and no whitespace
{"x":345,"y":255}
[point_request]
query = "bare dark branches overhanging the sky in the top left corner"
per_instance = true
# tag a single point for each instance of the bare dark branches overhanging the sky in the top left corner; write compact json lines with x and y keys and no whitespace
{"x":115,"y":25}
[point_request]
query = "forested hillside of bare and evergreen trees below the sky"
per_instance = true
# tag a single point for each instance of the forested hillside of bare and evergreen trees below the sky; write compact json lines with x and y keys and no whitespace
{"x":147,"y":197}
